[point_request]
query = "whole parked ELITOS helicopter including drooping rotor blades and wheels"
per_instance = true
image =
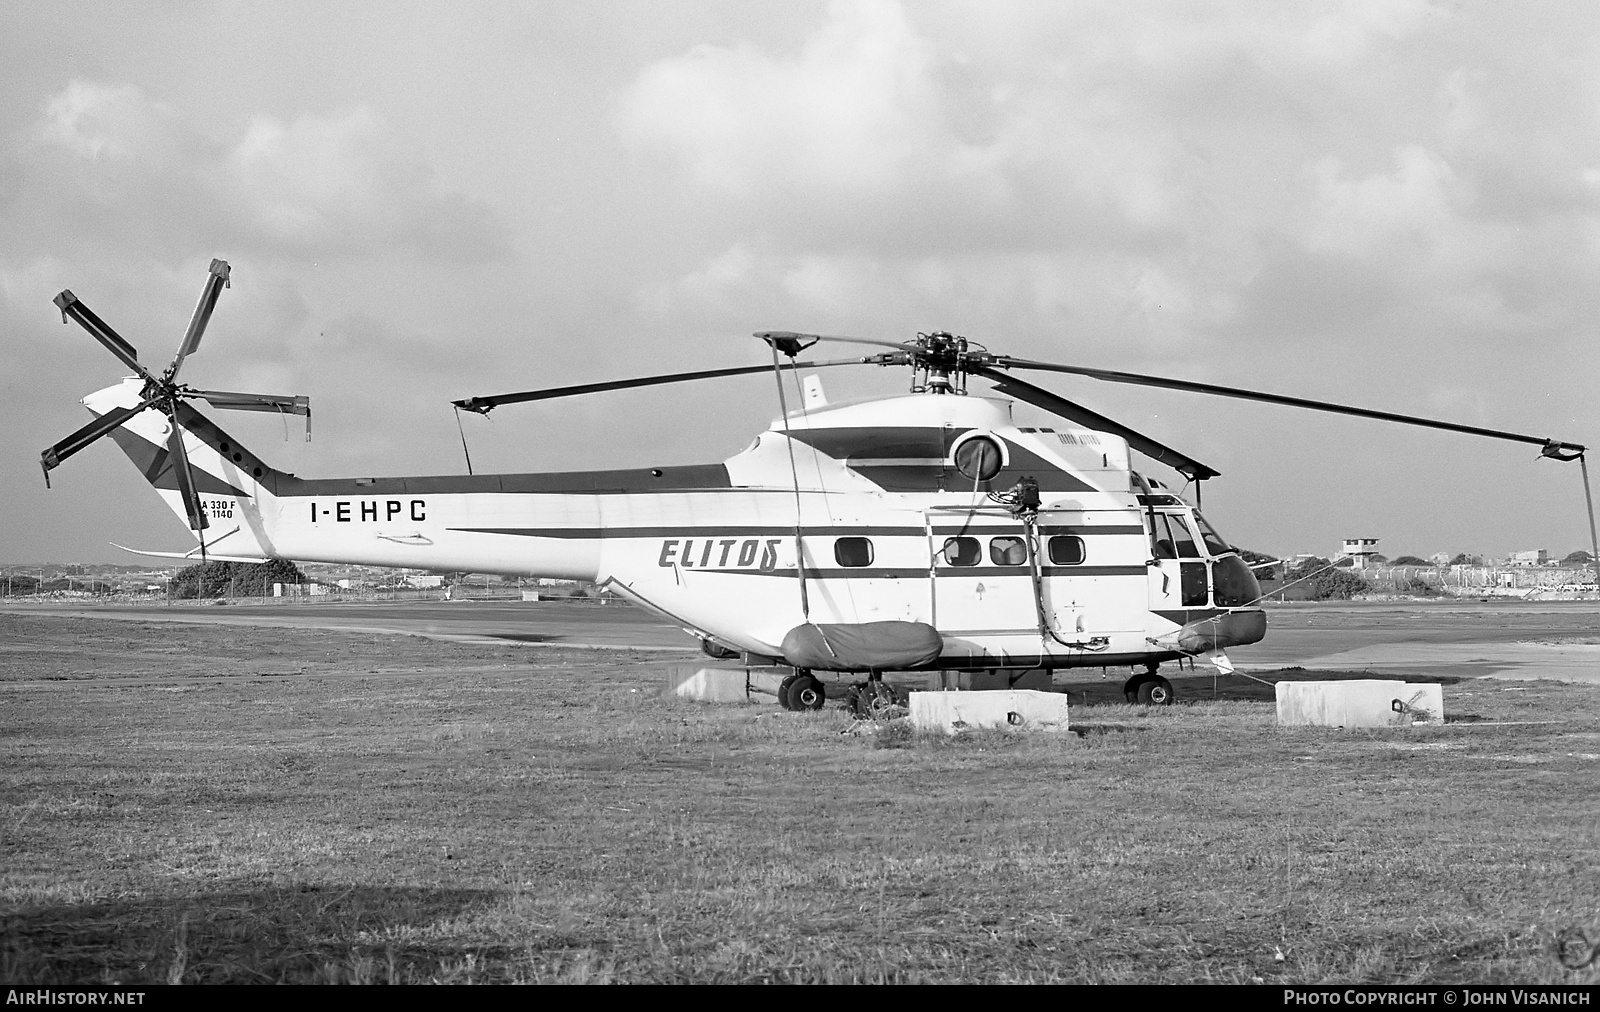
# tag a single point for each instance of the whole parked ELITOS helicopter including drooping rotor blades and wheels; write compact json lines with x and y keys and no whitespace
{"x":924,"y":532}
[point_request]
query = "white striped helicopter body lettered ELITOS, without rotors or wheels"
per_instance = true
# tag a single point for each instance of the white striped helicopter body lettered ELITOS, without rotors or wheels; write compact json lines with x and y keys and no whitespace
{"x":838,"y":516}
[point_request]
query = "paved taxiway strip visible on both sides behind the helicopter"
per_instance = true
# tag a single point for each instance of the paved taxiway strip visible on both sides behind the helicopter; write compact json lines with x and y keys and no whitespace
{"x":1457,"y":638}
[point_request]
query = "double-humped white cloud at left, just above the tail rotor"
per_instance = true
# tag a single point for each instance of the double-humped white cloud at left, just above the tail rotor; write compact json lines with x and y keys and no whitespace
{"x":106,"y":164}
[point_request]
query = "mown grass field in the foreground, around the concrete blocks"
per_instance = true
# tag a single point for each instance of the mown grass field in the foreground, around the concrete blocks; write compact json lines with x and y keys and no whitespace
{"x":308,"y":806}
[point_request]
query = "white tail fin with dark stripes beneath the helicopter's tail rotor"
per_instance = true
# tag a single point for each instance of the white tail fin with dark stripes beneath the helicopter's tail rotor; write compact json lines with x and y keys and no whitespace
{"x":236,"y":488}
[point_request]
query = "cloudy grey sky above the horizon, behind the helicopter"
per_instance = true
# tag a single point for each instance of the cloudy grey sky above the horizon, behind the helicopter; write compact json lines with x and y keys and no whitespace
{"x":1390,"y":204}
